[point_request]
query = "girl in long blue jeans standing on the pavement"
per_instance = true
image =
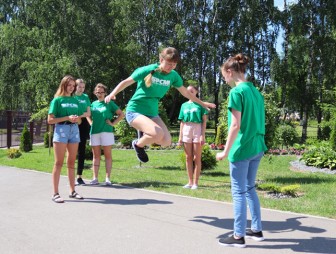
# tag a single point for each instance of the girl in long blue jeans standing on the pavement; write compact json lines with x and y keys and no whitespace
{"x":245,"y":146}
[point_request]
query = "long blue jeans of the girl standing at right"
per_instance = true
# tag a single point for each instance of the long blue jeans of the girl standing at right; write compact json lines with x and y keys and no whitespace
{"x":243,"y":175}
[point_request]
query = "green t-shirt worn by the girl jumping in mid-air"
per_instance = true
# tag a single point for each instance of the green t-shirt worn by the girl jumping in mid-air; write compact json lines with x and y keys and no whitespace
{"x":146,"y":99}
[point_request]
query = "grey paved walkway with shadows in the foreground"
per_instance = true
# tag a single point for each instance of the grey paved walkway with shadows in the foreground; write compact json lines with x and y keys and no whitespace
{"x":125,"y":220}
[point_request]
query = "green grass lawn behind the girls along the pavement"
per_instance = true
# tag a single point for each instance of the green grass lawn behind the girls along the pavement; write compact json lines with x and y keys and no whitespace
{"x":163,"y":173}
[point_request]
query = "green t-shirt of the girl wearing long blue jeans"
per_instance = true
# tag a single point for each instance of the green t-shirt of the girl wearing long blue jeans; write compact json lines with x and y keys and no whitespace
{"x":250,"y":140}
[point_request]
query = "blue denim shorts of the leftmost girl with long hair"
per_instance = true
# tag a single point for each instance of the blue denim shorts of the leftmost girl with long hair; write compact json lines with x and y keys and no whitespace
{"x":66,"y":133}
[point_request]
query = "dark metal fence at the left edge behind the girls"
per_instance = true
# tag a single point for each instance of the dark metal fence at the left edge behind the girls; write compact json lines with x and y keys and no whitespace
{"x":11,"y":126}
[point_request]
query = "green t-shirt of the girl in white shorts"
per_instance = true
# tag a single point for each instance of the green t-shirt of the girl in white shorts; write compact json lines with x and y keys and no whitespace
{"x":100,"y":112}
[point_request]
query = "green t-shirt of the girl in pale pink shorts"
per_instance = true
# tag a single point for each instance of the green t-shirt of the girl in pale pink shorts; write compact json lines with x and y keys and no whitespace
{"x":192,"y":112}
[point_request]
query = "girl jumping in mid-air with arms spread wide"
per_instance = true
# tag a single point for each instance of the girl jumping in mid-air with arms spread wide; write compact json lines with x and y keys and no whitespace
{"x":142,"y":112}
